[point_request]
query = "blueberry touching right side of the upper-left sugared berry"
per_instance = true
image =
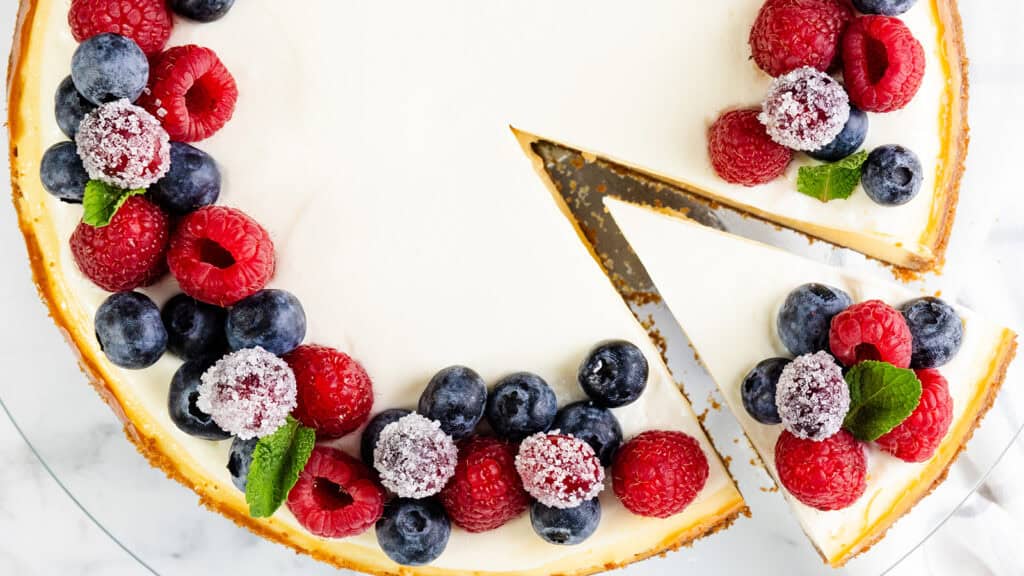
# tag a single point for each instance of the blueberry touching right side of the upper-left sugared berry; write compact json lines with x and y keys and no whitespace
{"x":192,"y":182}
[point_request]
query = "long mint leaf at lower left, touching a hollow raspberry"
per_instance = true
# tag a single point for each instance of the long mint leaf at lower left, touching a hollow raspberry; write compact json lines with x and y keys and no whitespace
{"x":278,"y":460}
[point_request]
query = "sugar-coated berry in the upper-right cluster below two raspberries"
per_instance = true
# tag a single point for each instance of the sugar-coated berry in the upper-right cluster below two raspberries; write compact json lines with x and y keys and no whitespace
{"x":805,"y":110}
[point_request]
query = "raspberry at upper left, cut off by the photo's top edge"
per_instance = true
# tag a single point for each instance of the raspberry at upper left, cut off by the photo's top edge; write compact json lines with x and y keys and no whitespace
{"x":149,"y":23}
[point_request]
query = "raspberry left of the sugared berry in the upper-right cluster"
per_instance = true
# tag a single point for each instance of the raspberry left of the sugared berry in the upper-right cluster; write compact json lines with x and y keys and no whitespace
{"x":743,"y":153}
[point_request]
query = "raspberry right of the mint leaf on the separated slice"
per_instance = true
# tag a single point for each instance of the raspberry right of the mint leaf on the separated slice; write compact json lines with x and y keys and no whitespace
{"x":917,"y":438}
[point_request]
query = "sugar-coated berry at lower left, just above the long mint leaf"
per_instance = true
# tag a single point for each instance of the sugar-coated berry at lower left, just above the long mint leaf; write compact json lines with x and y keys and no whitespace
{"x":249,"y":393}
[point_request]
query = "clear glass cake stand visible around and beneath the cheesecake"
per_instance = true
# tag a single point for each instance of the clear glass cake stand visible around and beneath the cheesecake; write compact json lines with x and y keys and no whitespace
{"x":80,"y":443}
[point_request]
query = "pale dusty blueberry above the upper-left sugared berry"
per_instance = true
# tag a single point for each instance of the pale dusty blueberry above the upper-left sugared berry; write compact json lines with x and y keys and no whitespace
{"x":108,"y":68}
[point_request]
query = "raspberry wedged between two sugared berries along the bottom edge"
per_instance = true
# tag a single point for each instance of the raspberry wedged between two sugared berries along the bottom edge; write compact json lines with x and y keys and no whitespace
{"x":486,"y":491}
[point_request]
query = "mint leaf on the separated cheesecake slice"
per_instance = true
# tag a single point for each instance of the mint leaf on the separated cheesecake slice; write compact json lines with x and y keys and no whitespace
{"x":881,"y":397}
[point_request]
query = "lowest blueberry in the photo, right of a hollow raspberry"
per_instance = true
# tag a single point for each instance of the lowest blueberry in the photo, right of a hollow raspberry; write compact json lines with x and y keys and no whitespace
{"x":413,"y":532}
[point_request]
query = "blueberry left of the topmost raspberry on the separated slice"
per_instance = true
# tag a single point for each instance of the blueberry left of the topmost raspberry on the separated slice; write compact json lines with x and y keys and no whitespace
{"x":806,"y":316}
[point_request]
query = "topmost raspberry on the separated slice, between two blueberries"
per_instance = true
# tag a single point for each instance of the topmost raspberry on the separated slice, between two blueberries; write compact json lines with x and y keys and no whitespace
{"x":872,"y":331}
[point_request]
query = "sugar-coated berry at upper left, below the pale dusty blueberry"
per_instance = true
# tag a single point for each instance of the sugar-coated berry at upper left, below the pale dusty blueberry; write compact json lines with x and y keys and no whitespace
{"x":123,"y":146}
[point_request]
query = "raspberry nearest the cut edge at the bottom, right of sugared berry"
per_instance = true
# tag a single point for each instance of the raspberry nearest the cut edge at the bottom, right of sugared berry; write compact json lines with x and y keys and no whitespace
{"x":659,"y":474}
